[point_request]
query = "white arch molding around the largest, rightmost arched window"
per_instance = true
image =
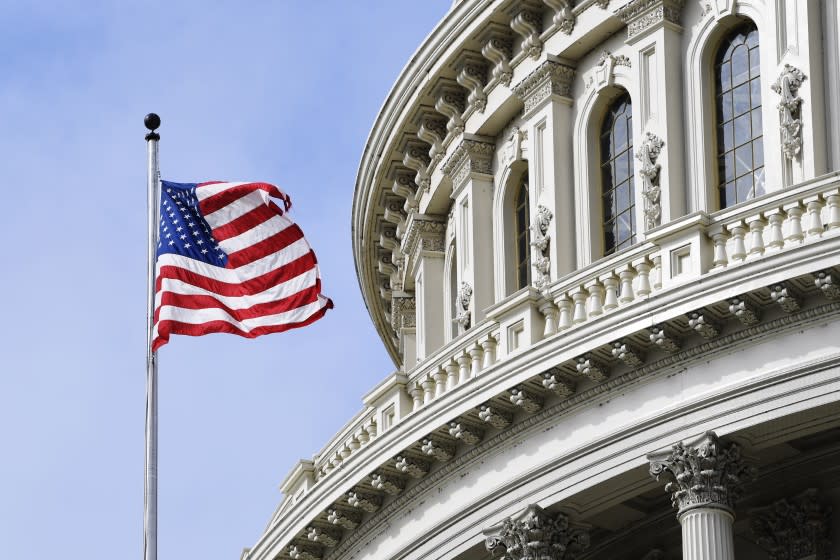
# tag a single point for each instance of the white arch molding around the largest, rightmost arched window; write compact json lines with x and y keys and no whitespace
{"x":701,"y":146}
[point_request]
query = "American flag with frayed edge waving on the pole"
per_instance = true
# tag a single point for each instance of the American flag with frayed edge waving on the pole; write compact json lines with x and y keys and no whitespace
{"x":230,"y":260}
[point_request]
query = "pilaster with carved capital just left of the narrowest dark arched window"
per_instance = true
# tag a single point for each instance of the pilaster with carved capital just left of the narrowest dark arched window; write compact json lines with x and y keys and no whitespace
{"x":470,"y":169}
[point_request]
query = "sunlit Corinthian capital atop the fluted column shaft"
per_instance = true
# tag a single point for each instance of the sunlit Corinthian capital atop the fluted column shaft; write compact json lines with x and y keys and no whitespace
{"x":705,"y":473}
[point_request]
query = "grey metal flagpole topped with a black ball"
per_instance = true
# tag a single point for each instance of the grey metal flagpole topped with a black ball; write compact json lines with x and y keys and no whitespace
{"x":152,"y":122}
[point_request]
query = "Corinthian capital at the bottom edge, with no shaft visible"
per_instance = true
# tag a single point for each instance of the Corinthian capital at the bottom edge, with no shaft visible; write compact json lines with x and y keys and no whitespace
{"x":537,"y":535}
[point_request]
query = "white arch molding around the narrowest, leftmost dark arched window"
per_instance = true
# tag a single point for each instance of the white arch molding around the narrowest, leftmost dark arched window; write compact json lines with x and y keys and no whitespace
{"x":504,"y":227}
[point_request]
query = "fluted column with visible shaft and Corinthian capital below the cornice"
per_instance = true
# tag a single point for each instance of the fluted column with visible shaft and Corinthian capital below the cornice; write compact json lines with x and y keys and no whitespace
{"x":706,"y":480}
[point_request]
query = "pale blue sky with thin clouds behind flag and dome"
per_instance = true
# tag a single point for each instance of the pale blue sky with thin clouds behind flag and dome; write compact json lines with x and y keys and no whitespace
{"x":281,"y":91}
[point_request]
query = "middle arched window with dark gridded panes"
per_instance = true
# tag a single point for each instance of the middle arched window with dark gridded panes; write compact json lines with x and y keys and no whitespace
{"x":617,"y":191}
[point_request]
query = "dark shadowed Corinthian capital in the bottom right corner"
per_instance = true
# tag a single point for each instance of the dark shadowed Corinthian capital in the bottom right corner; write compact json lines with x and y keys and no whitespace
{"x":793,"y":529}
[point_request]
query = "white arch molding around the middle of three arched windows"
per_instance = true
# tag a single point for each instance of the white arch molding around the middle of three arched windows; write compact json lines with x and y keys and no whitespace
{"x":587,"y":156}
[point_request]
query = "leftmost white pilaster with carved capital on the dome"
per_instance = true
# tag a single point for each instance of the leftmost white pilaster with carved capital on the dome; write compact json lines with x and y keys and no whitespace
{"x":422,"y":246}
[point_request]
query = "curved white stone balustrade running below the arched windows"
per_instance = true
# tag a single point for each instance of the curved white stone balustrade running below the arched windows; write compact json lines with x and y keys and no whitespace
{"x":681,"y":252}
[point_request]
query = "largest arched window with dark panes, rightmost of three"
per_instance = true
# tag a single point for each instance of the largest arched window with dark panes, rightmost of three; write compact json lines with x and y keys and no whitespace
{"x":739,"y":129}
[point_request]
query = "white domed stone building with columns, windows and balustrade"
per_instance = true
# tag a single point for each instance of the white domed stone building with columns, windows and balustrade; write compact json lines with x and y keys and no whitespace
{"x":601,"y":241}
